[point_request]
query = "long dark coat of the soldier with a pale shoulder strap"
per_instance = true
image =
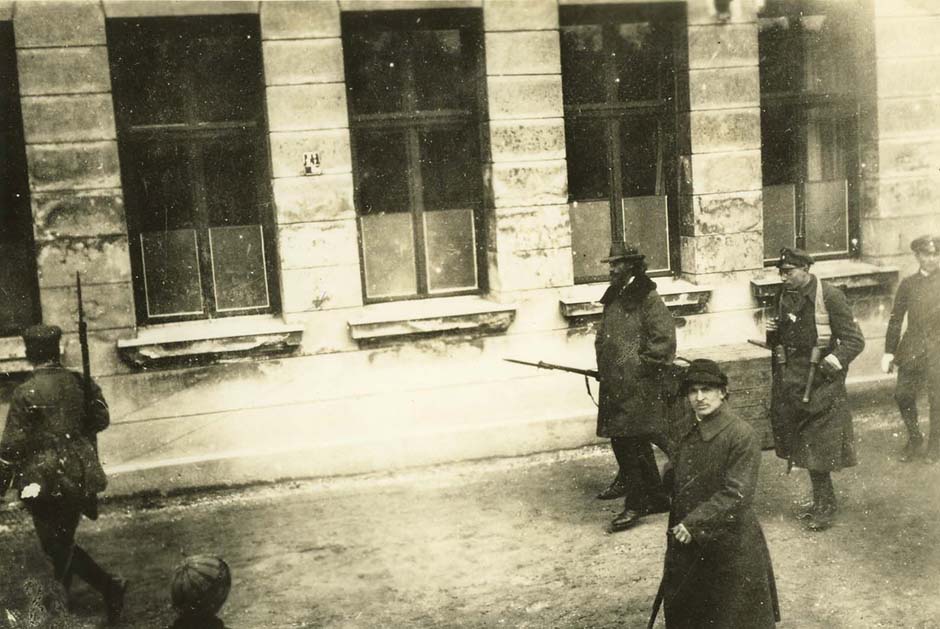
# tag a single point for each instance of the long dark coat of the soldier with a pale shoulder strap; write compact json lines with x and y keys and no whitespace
{"x":817,"y":435}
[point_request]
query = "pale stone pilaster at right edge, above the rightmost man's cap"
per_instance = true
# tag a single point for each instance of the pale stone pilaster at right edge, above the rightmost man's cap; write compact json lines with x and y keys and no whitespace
{"x":903,"y":188}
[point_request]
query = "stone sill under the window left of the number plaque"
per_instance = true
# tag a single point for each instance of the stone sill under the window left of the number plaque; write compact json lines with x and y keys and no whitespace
{"x":210,"y":341}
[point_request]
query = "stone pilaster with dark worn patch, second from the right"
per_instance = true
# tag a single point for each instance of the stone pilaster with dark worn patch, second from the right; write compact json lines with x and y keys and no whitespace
{"x":720,"y":204}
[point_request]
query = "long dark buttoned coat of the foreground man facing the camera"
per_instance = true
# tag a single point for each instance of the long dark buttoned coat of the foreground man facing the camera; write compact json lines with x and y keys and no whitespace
{"x":723,"y":578}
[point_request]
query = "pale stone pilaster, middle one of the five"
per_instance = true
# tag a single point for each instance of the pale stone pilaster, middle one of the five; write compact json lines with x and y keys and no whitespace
{"x":529,"y":234}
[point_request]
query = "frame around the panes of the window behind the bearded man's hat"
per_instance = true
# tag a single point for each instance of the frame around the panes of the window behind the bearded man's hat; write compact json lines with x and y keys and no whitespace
{"x":614,"y":112}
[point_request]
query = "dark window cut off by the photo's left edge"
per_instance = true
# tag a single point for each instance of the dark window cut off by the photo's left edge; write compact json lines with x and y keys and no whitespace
{"x":19,"y":294}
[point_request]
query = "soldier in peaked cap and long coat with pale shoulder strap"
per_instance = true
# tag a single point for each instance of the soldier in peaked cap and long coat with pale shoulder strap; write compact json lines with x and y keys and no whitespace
{"x":816,"y":337}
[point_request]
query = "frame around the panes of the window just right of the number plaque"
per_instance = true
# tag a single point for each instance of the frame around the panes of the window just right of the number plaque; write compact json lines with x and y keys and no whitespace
{"x":414,"y":122}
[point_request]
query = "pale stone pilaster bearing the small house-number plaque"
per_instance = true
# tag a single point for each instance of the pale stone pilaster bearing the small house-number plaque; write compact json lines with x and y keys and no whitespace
{"x":306,"y":99}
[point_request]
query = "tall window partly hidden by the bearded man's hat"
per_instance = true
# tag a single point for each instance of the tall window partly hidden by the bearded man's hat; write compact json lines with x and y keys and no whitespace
{"x":619,"y":85}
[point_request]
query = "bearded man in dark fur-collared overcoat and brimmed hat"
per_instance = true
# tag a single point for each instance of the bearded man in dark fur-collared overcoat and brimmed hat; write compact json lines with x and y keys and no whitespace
{"x":635,"y":342}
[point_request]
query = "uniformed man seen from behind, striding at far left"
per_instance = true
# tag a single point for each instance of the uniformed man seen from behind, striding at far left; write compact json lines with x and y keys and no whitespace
{"x":47,"y":451}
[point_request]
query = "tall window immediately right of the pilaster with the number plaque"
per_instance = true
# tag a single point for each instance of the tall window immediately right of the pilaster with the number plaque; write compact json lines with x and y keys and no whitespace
{"x":414,"y":87}
